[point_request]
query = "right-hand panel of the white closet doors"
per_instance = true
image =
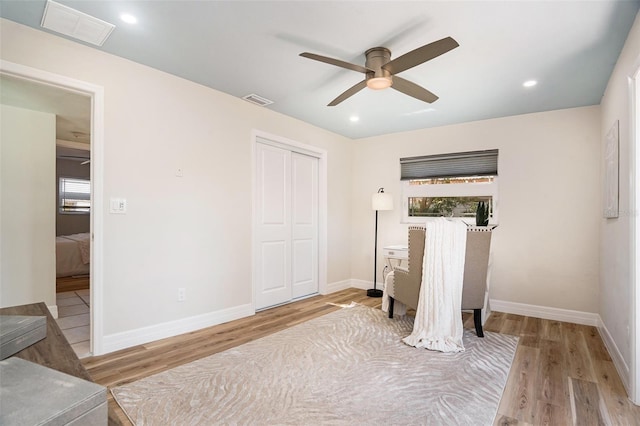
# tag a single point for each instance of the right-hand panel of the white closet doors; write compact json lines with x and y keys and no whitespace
{"x":304,"y":188}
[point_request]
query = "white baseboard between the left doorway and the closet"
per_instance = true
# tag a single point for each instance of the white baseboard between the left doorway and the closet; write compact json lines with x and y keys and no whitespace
{"x":139,"y":336}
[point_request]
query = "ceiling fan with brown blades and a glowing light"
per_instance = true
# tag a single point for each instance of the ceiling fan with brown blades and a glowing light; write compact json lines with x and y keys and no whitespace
{"x":380,"y":70}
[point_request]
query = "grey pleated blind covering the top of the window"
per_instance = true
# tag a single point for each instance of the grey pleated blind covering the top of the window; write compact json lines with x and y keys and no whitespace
{"x":460,"y":164}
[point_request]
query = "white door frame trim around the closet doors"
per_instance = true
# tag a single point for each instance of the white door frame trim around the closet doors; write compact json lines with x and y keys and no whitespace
{"x":258,"y":136}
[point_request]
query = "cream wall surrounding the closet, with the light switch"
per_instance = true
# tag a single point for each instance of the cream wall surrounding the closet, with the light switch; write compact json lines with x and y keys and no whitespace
{"x":195,"y":231}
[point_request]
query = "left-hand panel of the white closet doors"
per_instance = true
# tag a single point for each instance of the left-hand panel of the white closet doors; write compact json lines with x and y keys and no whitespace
{"x":273,"y":226}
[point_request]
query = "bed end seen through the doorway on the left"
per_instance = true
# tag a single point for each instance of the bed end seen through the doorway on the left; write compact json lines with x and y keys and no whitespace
{"x":72,"y":255}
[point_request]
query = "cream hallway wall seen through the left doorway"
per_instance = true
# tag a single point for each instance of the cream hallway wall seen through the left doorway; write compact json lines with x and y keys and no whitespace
{"x":27,"y":194}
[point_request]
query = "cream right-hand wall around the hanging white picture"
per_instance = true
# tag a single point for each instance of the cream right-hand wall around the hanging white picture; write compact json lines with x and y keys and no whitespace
{"x":615,"y":272}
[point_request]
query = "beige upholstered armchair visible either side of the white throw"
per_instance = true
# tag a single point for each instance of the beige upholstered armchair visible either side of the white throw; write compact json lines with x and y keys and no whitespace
{"x":405,"y":286}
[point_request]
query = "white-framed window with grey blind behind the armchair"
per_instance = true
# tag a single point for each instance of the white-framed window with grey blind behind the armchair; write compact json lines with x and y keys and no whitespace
{"x":449,"y":185}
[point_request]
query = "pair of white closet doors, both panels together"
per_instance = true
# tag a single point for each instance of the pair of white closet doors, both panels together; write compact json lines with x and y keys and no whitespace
{"x":286,"y":240}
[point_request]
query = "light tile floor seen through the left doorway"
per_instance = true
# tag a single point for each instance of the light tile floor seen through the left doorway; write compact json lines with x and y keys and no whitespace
{"x":73,"y":319}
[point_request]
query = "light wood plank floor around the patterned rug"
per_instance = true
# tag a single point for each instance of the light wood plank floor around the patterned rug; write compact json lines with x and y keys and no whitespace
{"x":561,"y":374}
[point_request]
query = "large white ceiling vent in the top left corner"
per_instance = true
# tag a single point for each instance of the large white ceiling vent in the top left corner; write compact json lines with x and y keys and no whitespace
{"x":73,"y":23}
